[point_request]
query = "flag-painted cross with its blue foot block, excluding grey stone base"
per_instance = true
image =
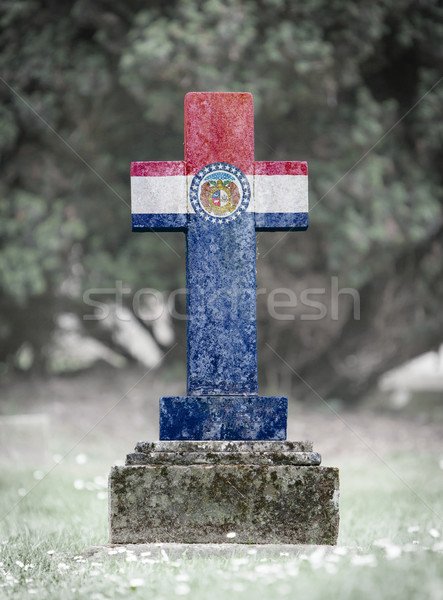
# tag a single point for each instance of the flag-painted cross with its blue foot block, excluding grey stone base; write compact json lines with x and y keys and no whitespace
{"x":219,"y":196}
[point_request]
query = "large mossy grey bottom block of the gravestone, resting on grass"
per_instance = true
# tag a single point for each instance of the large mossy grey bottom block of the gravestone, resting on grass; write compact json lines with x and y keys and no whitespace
{"x":197,"y":503}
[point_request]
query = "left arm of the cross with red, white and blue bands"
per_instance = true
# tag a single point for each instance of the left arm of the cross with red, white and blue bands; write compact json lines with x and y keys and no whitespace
{"x":159,"y":196}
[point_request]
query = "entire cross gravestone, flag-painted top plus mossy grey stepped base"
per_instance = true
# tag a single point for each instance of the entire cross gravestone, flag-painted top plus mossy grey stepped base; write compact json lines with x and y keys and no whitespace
{"x":223,"y":470}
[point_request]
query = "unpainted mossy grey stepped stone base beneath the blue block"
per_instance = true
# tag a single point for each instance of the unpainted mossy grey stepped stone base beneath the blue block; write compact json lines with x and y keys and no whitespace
{"x":199,"y":492}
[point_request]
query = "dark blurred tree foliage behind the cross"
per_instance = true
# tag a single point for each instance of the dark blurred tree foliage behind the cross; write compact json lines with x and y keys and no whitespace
{"x":86,"y":87}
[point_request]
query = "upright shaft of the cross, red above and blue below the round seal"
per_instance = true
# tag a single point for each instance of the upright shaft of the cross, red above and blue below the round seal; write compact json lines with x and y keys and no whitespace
{"x":221,"y":283}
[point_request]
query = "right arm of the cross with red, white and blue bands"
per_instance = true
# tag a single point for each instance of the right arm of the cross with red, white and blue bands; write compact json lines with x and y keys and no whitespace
{"x":281,"y":195}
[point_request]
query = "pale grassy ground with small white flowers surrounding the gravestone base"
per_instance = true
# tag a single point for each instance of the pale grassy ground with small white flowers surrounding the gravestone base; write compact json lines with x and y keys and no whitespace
{"x":53,"y":499}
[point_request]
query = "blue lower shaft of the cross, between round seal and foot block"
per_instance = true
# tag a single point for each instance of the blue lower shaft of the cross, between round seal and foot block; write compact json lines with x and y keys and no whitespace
{"x":222,"y":332}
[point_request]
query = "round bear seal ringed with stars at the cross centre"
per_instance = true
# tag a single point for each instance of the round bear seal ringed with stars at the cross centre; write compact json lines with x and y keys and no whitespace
{"x":220,"y":192}
